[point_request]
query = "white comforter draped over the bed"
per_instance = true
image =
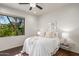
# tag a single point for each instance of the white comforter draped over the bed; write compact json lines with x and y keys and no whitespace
{"x":40,"y":46}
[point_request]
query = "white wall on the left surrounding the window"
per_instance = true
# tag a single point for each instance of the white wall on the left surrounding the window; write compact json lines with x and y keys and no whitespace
{"x":30,"y":29}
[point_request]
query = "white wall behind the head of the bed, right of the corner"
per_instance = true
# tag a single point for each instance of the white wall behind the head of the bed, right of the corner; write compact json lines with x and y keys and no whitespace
{"x":68,"y":21}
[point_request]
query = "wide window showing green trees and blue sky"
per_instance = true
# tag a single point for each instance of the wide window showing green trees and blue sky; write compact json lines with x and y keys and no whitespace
{"x":11,"y":26}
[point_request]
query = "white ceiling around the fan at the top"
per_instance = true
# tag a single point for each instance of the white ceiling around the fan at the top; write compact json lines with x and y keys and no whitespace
{"x":47,"y":7}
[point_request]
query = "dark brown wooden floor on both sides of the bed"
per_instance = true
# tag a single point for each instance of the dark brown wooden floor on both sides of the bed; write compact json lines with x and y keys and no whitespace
{"x":15,"y":51}
